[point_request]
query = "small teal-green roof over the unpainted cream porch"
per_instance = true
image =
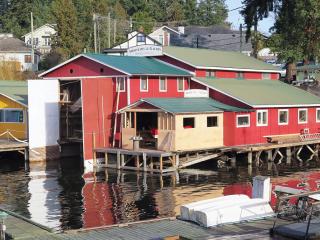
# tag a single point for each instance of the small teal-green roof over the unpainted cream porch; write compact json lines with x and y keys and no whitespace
{"x":190,"y":105}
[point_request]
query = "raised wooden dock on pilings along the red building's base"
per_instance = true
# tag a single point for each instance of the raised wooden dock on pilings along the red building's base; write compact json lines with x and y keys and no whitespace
{"x":149,"y":160}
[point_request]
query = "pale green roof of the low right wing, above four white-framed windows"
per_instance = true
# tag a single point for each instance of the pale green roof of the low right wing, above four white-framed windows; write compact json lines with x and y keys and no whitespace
{"x":262,"y":92}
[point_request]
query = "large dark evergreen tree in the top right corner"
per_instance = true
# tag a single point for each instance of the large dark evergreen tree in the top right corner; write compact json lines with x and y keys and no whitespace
{"x":296,"y":31}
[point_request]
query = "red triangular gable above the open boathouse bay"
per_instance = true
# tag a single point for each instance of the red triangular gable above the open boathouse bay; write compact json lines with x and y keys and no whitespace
{"x":82,"y":67}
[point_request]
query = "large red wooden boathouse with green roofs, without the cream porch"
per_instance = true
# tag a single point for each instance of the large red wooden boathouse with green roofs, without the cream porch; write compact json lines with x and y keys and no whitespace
{"x":94,"y":87}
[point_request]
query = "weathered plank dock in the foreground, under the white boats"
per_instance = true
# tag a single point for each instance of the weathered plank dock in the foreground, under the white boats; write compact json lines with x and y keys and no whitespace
{"x":168,"y":228}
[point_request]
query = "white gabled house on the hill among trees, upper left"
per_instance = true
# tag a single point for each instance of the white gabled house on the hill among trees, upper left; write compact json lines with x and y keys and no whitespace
{"x":42,"y":38}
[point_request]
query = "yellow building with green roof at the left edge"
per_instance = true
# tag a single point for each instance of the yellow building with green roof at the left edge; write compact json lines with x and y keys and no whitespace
{"x":13,"y":109}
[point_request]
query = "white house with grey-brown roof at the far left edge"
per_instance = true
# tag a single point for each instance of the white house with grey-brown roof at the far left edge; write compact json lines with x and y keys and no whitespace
{"x":14,"y":50}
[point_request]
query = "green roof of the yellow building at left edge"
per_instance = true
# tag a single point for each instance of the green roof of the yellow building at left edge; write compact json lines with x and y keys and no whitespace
{"x":15,"y":90}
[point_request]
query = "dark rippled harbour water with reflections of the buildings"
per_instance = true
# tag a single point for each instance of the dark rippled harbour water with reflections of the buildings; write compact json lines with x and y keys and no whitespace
{"x":61,"y":196}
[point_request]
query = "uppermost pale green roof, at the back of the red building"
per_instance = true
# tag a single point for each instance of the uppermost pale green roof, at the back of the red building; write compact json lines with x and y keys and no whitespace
{"x":217,"y":59}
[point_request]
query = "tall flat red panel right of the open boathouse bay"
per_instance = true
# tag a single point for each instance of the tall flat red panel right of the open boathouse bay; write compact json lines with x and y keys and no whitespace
{"x":96,"y":96}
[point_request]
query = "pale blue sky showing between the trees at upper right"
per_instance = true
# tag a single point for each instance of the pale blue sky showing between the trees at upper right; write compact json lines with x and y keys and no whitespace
{"x":235,"y":18}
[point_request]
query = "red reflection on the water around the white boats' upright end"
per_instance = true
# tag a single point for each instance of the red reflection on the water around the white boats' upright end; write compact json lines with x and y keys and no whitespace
{"x":308,"y":182}
